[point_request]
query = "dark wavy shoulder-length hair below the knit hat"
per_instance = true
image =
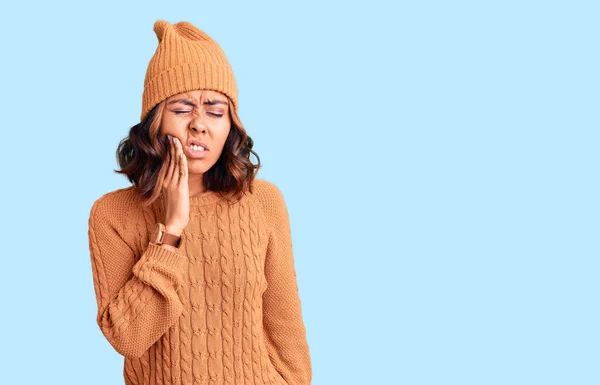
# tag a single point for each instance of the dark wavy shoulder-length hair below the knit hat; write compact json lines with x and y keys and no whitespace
{"x":142,"y":157}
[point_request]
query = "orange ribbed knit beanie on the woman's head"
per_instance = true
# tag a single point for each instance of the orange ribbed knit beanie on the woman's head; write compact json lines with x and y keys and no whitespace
{"x":186,"y":59}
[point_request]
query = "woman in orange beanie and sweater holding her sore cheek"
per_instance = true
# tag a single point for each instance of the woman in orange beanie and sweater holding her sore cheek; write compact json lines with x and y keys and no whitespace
{"x":193,"y":267}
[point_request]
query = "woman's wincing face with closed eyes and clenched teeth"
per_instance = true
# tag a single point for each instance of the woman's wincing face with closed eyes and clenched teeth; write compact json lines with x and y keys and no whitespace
{"x":201,"y":116}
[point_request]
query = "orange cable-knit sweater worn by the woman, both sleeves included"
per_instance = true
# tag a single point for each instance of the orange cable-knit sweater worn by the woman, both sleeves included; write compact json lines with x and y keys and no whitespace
{"x":223,"y":309}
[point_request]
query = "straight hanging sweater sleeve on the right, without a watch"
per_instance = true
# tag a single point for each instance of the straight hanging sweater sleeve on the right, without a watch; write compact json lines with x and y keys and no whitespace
{"x":282,"y":313}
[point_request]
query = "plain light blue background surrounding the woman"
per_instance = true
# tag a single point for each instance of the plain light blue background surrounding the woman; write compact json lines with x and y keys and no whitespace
{"x":439,"y":161}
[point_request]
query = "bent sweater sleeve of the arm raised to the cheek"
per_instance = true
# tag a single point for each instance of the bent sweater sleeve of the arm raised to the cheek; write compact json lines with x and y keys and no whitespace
{"x":137,"y":298}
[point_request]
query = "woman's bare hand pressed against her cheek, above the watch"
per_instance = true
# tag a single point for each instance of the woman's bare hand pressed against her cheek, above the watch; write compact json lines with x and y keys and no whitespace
{"x":176,"y":189}
